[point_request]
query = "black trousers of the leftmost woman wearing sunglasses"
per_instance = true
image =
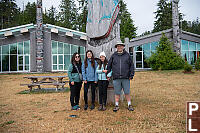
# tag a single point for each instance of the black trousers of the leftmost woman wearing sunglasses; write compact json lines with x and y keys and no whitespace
{"x":75,"y":93}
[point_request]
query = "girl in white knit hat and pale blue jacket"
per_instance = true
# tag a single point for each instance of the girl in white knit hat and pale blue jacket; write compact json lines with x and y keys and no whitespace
{"x":102,"y":81}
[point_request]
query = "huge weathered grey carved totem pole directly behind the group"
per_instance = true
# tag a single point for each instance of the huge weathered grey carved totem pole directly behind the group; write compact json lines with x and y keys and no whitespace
{"x":103,"y":31}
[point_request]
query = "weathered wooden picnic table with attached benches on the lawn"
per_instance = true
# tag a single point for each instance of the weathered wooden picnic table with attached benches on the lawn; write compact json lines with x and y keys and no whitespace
{"x":45,"y":80}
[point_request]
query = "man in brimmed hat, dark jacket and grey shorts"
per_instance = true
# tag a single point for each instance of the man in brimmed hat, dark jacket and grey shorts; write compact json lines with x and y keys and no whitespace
{"x":122,"y":68}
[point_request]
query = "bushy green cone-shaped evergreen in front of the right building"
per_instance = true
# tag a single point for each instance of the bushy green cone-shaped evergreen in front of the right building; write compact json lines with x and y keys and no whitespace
{"x":165,"y":58}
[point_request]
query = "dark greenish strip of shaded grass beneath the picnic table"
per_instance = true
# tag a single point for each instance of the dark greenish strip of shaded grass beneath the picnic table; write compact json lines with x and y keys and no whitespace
{"x":46,"y":91}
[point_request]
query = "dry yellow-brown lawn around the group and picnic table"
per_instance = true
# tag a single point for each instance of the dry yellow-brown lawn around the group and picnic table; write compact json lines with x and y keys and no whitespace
{"x":159,"y":99}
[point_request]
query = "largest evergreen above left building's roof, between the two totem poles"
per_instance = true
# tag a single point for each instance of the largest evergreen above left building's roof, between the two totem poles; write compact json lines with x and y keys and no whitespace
{"x":68,"y":15}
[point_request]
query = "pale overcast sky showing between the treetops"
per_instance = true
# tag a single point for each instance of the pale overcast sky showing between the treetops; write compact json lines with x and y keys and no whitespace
{"x":142,"y":11}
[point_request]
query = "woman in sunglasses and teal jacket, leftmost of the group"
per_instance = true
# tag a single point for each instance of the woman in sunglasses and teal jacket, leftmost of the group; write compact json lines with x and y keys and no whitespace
{"x":75,"y":83}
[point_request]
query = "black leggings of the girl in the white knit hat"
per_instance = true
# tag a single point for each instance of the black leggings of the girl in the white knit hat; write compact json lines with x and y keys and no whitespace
{"x":103,"y":85}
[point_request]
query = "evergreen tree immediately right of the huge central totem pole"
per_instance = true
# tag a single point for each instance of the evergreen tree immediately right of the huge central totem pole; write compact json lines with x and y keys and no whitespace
{"x":127,"y":28}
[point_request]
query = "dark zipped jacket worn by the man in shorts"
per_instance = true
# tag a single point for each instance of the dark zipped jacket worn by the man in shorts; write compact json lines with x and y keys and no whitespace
{"x":121,"y":65}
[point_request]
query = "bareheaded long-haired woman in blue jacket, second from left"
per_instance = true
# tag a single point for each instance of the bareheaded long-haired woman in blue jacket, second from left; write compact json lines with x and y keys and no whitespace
{"x":89,"y":77}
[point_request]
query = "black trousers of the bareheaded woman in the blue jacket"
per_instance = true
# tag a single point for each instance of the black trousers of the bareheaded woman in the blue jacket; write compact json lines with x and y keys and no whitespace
{"x":93,"y":87}
